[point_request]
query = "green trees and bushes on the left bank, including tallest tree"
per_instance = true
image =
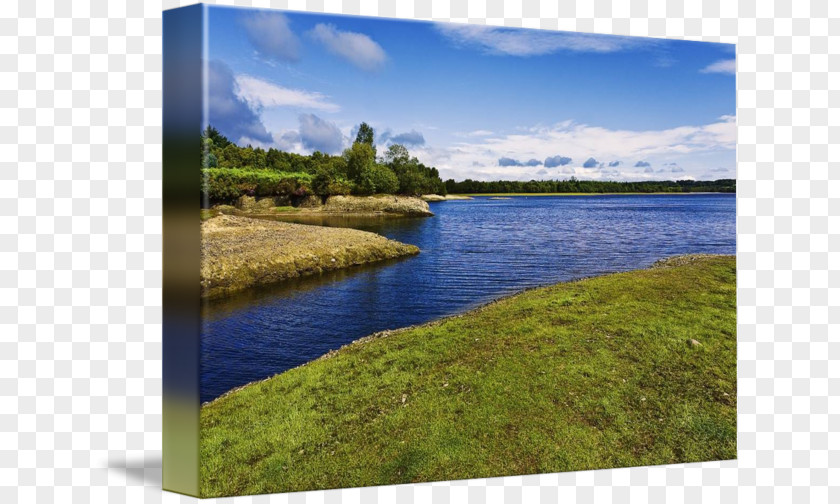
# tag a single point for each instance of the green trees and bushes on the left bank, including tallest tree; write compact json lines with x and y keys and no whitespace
{"x":230,"y":171}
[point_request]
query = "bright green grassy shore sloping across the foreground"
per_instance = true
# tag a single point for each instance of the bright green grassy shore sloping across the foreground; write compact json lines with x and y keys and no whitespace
{"x":635,"y":368}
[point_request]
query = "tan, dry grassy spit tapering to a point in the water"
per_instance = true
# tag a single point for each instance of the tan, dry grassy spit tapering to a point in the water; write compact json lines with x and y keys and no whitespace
{"x":239,"y":252}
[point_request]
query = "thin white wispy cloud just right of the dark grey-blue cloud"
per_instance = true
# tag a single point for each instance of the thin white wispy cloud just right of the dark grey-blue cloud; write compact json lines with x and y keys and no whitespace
{"x":258,"y":93}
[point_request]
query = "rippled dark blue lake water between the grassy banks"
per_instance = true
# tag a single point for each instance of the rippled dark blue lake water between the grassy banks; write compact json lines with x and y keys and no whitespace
{"x":471,"y":253}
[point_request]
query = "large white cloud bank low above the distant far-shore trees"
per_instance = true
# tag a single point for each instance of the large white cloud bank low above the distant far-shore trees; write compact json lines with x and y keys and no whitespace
{"x":692,"y":146}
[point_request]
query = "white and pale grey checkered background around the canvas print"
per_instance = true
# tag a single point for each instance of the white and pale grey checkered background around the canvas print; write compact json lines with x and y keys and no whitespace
{"x":80,"y":251}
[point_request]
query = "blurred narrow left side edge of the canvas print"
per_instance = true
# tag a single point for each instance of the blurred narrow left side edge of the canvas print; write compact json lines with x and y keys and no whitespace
{"x":182,"y":116}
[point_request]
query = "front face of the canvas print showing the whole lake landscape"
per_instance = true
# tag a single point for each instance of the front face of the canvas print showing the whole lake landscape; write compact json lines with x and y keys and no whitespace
{"x":435,"y":251}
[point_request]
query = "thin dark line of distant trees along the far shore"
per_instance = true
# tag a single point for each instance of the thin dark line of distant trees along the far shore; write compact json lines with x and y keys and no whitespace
{"x":574,"y":185}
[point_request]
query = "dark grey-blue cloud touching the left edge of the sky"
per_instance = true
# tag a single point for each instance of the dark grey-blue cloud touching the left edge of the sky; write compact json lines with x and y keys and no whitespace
{"x":229,"y":113}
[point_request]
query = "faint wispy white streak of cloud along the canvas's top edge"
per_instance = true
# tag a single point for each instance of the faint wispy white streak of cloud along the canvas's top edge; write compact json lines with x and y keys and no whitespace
{"x":519,"y":42}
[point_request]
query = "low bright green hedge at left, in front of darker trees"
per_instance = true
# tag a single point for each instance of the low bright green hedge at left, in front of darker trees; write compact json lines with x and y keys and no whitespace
{"x":228,"y":184}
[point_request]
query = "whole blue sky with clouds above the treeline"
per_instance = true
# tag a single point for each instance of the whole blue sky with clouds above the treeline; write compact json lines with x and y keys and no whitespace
{"x":475,"y":101}
